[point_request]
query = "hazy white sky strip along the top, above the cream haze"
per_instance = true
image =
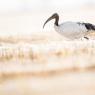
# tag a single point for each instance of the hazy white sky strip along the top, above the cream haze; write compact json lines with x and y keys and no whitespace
{"x":12,"y":5}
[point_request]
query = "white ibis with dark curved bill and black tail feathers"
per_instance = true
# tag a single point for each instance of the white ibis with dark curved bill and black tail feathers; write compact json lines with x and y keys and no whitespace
{"x":71,"y":30}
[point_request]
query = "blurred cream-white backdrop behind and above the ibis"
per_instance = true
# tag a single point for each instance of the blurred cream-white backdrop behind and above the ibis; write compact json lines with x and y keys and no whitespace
{"x":19,"y":17}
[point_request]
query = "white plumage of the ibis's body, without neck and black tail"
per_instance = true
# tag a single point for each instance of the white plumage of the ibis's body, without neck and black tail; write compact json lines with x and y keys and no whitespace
{"x":71,"y":30}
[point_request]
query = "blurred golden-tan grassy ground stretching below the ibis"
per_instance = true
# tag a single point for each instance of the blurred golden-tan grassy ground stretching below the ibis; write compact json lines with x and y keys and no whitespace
{"x":31,"y":65}
